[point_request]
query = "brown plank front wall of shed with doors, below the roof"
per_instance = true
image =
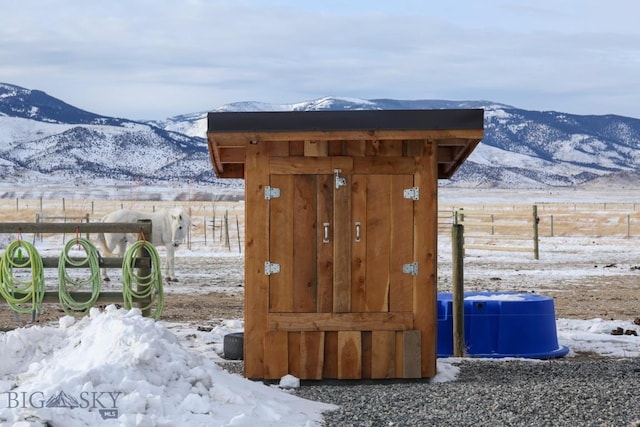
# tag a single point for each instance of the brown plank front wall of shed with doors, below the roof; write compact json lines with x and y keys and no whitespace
{"x":341,"y":309}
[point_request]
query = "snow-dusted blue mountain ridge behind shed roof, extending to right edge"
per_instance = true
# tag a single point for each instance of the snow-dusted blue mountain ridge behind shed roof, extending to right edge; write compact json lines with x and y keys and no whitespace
{"x":521,"y":148}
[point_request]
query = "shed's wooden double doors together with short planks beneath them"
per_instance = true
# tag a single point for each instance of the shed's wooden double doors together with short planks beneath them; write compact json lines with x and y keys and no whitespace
{"x":342,"y":276}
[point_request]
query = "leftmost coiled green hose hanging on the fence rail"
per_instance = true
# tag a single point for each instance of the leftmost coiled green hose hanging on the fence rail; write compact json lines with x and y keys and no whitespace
{"x":23,"y":292}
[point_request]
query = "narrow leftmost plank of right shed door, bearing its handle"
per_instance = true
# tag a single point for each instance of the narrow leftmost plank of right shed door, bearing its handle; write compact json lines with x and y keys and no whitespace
{"x":358,"y":248}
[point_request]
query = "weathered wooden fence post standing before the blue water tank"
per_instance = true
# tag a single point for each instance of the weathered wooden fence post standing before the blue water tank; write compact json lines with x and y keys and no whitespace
{"x":457,"y":281}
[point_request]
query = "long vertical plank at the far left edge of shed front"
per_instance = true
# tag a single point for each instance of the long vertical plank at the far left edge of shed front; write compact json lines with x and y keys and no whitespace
{"x":256,"y":253}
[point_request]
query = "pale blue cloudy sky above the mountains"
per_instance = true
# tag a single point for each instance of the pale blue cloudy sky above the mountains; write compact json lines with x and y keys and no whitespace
{"x":157,"y":59}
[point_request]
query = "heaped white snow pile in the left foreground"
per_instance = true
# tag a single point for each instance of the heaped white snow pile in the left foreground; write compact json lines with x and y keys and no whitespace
{"x":119,"y":368}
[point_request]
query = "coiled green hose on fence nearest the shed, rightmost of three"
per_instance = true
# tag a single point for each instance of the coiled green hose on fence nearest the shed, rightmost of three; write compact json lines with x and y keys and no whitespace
{"x":148,"y":286}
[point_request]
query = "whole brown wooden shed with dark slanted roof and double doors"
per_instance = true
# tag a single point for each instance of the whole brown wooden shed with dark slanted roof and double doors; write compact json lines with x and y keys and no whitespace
{"x":341,"y":235}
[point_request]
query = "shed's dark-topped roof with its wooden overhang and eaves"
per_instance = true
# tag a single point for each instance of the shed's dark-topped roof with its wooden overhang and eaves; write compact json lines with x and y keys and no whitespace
{"x":455,"y":131}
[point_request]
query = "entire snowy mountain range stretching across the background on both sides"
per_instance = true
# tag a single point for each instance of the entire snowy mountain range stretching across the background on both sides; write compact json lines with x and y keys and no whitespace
{"x":44,"y":141}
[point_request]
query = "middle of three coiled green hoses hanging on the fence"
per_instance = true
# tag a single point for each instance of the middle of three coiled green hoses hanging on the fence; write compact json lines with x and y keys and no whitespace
{"x":70,"y":305}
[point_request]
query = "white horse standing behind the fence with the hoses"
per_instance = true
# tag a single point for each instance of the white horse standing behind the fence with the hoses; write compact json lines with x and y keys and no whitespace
{"x":169,"y":228}
